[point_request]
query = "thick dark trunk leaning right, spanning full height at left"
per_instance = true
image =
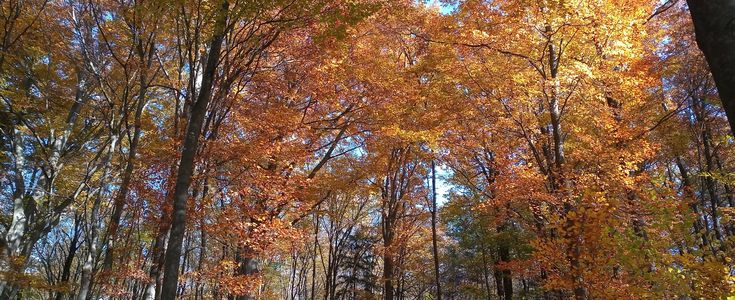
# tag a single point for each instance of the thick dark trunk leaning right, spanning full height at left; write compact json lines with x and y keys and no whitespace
{"x":186,"y":164}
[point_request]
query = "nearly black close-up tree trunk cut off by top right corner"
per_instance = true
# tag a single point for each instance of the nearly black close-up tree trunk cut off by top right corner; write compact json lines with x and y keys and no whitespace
{"x":715,"y":33}
